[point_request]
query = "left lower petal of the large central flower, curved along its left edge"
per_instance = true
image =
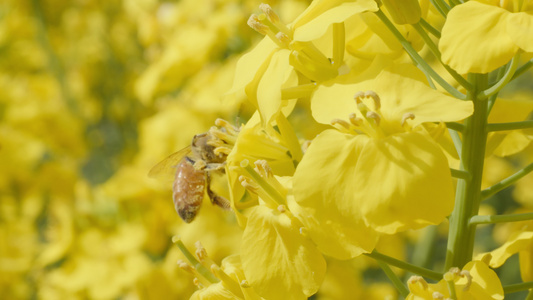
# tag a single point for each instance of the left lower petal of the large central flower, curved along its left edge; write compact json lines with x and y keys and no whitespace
{"x":324,"y":189}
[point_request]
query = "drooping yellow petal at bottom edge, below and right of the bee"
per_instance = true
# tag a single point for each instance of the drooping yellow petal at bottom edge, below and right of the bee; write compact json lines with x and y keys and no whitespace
{"x":278,"y":261}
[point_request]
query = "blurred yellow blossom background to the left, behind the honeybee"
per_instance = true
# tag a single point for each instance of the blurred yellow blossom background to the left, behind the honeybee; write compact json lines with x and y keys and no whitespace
{"x":92,"y":95}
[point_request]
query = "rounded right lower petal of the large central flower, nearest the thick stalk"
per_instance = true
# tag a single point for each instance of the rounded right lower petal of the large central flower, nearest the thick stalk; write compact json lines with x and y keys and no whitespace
{"x":403,"y":182}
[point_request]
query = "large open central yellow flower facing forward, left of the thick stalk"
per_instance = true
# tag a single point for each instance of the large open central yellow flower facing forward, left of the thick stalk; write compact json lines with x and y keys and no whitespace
{"x":378,"y":168}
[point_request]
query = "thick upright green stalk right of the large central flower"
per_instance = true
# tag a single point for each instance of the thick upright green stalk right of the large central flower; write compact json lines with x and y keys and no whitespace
{"x":468,"y":194}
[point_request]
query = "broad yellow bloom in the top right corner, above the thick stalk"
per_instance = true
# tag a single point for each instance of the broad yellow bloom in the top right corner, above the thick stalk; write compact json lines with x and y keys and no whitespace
{"x":478,"y":37}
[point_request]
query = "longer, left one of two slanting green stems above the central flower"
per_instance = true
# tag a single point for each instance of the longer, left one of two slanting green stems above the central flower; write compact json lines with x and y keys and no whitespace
{"x":422,"y":64}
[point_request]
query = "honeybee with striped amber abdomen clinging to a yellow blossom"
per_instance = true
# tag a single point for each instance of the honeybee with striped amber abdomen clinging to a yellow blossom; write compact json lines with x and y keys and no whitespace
{"x":191,"y":167}
